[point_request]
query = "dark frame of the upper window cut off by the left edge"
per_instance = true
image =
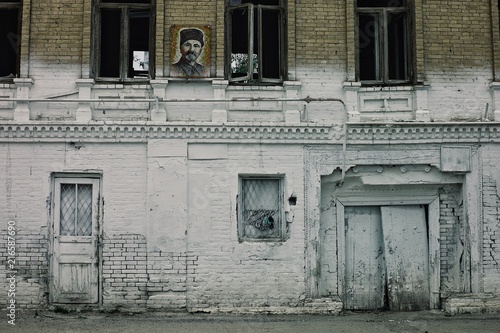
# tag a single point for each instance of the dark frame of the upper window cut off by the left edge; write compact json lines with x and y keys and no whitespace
{"x":13,"y":39}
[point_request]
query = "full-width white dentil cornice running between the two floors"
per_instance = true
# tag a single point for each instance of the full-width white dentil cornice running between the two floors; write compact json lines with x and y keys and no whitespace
{"x":357,"y":133}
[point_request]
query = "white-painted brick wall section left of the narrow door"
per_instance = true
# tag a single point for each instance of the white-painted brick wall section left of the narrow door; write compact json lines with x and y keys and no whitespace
{"x":24,"y":192}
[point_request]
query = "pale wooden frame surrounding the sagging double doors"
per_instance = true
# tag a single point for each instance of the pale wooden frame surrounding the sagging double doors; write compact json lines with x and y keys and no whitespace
{"x":432,"y":202}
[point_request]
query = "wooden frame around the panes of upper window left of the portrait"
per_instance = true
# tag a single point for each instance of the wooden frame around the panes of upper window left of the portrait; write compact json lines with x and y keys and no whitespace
{"x":125,"y":63}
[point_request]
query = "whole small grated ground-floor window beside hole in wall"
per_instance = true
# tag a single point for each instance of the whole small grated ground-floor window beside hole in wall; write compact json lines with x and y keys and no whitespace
{"x":261,"y":209}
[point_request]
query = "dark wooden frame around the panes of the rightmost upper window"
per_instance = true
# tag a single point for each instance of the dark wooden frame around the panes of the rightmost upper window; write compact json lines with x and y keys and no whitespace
{"x":382,"y":46}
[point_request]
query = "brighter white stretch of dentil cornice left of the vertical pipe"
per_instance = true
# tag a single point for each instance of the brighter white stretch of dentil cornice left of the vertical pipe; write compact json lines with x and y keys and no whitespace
{"x":137,"y":132}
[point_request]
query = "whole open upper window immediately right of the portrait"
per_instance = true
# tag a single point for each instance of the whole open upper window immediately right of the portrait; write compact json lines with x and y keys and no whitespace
{"x":255,"y":41}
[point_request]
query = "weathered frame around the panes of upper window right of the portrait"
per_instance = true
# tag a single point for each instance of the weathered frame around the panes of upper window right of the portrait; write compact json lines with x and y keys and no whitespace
{"x":252,"y":77}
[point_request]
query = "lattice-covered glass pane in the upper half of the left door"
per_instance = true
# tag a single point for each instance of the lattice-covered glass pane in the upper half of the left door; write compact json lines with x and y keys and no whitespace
{"x":76,"y":210}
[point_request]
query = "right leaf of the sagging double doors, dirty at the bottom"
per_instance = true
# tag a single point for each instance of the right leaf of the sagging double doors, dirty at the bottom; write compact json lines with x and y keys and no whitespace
{"x":407,"y":257}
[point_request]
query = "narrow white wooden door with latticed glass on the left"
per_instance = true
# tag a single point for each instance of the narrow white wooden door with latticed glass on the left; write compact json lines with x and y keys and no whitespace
{"x":75,"y":260}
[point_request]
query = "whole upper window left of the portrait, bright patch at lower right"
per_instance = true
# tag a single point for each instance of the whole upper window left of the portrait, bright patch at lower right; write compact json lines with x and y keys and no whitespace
{"x":124,"y":43}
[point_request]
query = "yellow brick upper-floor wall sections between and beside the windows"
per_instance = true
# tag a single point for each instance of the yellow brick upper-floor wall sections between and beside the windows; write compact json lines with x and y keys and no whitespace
{"x":453,"y":37}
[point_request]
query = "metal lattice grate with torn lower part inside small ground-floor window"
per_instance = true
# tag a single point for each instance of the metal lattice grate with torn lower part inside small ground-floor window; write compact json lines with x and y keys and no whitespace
{"x":261,"y":215}
